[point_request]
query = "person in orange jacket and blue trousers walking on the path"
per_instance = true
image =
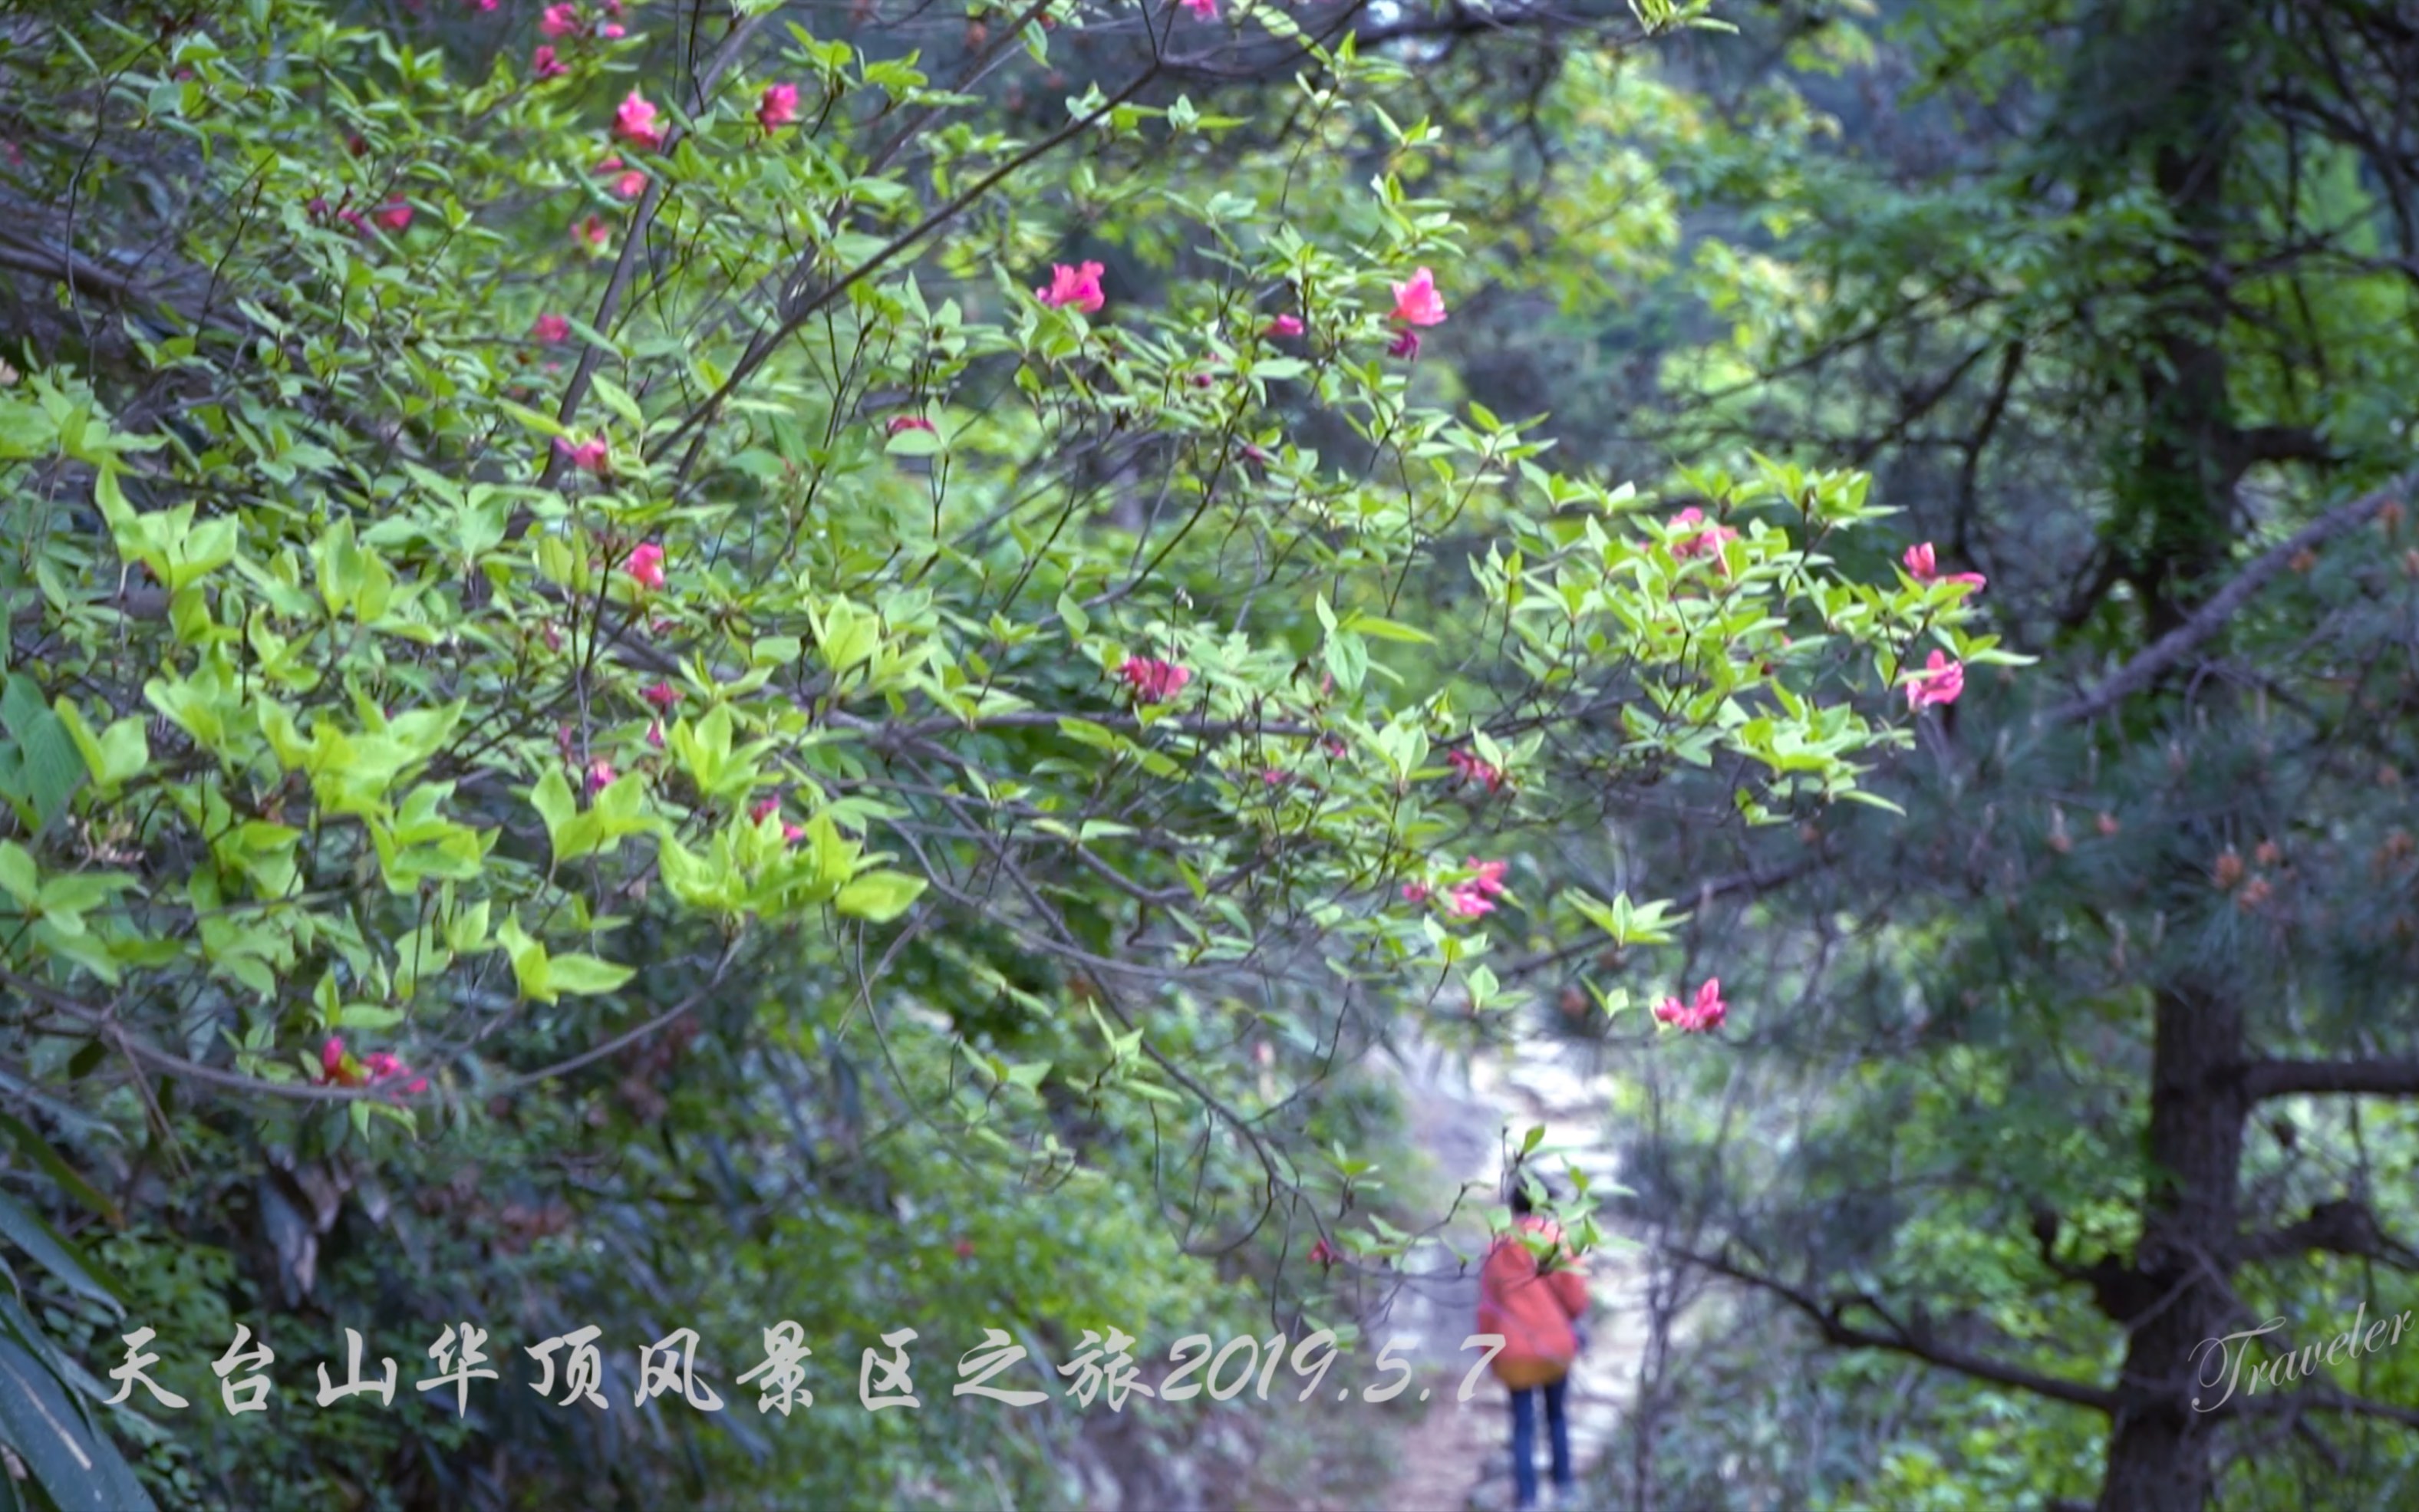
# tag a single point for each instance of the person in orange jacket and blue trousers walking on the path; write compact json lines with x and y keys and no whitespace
{"x":1535,"y":1305}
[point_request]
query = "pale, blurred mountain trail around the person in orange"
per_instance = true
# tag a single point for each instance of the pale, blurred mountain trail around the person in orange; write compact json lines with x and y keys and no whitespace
{"x":1457,"y":1460}
